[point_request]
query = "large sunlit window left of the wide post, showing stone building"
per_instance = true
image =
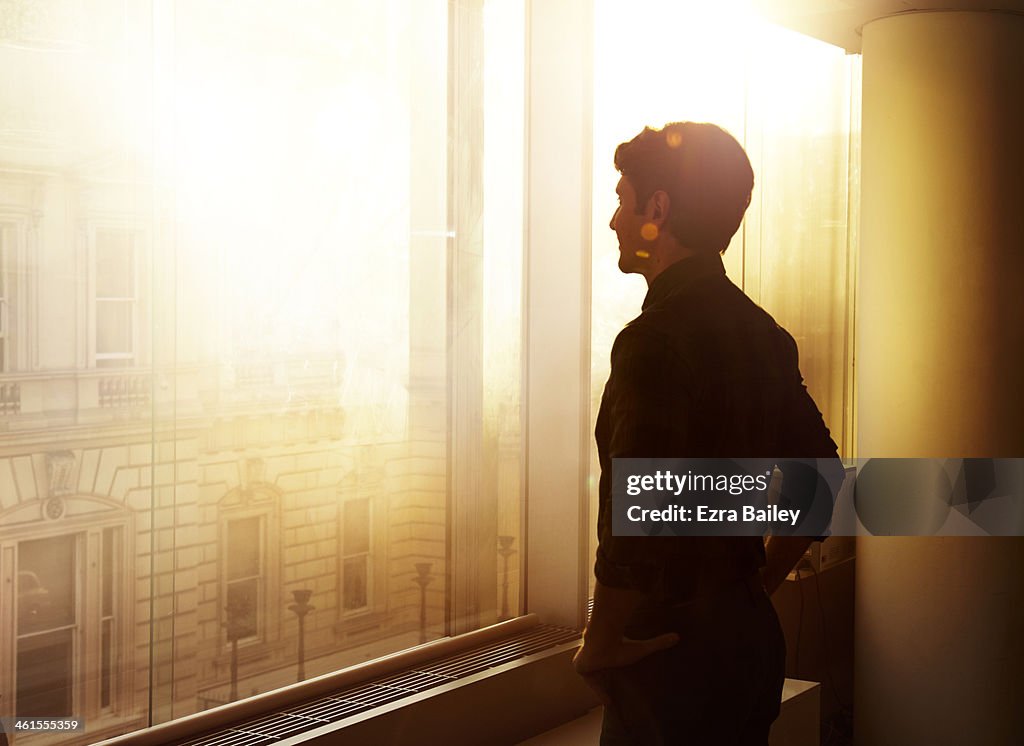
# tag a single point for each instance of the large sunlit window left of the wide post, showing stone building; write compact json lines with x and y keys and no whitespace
{"x":258,"y":251}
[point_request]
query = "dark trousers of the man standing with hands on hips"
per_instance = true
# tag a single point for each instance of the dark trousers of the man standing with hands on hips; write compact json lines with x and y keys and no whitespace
{"x":721,"y":685}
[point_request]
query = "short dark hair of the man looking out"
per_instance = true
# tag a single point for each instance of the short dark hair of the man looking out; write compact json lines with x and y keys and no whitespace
{"x":705,"y":172}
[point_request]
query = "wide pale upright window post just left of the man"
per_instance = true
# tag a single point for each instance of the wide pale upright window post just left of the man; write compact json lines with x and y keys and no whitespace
{"x":558,"y":311}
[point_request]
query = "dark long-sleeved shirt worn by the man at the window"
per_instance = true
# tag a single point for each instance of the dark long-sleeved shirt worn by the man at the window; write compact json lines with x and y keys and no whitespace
{"x":703,"y":372}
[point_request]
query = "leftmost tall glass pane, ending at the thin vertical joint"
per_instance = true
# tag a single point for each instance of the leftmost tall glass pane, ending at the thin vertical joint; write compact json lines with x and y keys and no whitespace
{"x":79,"y":78}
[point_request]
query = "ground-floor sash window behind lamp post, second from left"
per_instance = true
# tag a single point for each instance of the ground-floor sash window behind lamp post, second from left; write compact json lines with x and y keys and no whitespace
{"x":244,"y":578}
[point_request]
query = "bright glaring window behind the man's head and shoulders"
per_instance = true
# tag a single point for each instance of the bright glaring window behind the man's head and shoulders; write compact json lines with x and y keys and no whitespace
{"x":793,"y":103}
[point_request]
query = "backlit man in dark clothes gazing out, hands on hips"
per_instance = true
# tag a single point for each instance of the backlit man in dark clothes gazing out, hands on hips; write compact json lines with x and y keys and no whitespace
{"x":684,"y":645}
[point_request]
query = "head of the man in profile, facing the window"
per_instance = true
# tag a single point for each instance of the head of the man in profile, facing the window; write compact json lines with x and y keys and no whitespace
{"x":685,"y":191}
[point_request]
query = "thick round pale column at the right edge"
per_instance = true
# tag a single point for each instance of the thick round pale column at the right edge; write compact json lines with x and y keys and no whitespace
{"x":941,"y":361}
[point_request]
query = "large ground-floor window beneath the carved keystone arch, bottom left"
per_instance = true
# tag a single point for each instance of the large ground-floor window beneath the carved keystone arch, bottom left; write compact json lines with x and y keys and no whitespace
{"x":56,"y":621}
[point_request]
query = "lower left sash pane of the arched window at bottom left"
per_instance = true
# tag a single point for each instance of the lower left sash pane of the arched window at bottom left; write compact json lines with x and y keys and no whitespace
{"x":46,"y":668}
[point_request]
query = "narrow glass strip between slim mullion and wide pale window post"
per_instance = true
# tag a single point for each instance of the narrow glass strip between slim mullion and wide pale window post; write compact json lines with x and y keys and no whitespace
{"x":501,"y":465}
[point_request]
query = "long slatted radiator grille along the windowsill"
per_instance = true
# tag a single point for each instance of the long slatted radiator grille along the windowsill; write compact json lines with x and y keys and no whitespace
{"x":338,"y":707}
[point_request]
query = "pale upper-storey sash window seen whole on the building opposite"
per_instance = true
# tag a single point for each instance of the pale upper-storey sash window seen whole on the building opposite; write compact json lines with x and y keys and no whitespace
{"x":116,"y":298}
